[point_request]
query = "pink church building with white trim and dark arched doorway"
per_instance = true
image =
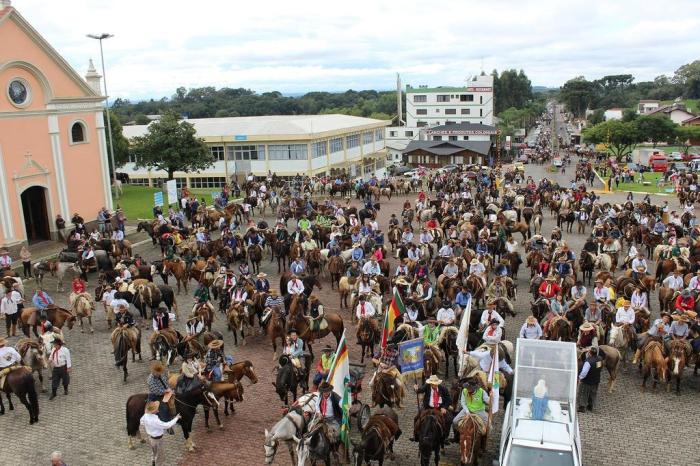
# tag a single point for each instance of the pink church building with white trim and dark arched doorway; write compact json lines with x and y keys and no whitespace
{"x":53,"y":152}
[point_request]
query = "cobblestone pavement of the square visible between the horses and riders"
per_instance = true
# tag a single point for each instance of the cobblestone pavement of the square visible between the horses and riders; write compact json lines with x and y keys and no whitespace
{"x":628,"y":427}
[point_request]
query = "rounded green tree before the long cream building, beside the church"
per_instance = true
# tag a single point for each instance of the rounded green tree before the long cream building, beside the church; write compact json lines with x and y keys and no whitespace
{"x":171,"y":145}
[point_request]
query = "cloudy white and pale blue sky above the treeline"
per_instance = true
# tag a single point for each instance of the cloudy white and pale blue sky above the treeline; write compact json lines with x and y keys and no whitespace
{"x":309,"y":45}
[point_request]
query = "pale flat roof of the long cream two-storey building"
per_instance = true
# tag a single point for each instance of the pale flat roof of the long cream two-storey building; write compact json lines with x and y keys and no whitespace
{"x":272,"y":125}
